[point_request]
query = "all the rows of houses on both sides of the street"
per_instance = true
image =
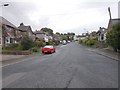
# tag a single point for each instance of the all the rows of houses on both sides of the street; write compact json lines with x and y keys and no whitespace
{"x":13,"y":34}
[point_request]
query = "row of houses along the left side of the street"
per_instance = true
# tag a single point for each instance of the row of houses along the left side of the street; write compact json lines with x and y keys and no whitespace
{"x":12,"y":34}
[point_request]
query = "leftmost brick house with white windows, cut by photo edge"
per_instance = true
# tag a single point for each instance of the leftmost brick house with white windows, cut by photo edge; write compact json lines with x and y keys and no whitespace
{"x":8,"y":31}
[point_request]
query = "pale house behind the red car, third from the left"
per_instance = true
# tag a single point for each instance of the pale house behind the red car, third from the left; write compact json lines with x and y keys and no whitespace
{"x":42,"y":35}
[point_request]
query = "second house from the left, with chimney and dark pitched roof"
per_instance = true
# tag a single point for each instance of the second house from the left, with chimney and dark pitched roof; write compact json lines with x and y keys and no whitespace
{"x":25,"y":30}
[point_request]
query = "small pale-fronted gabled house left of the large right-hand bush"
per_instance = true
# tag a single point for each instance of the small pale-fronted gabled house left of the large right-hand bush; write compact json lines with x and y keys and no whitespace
{"x":102,"y":34}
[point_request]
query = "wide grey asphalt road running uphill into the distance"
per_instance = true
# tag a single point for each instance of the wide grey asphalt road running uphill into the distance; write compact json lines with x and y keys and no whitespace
{"x":72,"y":66}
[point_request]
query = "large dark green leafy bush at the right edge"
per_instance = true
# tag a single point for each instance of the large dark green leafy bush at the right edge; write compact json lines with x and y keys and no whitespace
{"x":113,"y":37}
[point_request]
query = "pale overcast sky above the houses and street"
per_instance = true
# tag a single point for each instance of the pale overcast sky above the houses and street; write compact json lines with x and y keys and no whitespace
{"x":62,"y":16}
